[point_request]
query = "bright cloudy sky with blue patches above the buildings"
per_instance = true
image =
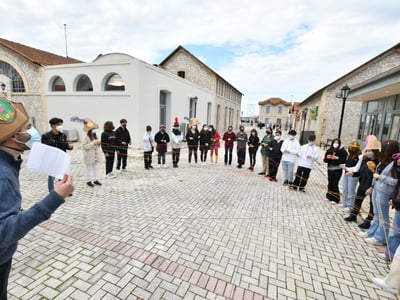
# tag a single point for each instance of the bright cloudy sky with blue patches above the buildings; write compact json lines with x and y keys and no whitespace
{"x":264,"y":48}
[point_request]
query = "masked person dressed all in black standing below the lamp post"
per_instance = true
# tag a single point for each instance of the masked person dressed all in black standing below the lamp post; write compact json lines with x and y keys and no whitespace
{"x":334,"y":156}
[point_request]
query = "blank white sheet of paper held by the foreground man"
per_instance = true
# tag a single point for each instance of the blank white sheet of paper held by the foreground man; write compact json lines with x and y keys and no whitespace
{"x":48,"y":160}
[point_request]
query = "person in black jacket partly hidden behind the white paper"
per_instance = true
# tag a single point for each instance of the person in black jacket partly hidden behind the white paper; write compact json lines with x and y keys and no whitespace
{"x":56,"y":138}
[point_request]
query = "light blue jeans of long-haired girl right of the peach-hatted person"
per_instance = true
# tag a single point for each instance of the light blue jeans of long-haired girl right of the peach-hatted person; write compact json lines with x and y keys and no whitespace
{"x":380,"y":223}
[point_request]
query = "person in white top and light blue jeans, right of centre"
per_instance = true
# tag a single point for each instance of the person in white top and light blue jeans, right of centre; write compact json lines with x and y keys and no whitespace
{"x":290,"y":148}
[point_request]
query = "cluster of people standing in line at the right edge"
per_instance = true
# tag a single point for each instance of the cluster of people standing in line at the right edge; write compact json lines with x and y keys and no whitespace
{"x":372,"y":173}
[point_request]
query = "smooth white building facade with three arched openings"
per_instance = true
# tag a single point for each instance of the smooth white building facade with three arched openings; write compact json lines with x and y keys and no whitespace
{"x":139,"y":103}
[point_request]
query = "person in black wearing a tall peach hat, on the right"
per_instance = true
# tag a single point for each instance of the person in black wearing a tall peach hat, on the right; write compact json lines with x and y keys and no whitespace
{"x":365,"y":177}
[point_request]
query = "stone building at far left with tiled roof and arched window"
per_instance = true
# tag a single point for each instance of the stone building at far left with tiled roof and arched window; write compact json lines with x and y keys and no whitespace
{"x":21,"y":72}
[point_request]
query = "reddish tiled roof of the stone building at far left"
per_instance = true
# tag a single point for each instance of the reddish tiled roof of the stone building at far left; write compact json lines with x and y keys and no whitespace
{"x":37,"y":56}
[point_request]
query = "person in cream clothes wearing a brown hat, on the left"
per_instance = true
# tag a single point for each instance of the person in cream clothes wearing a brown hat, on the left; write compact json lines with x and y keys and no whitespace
{"x":91,"y":152}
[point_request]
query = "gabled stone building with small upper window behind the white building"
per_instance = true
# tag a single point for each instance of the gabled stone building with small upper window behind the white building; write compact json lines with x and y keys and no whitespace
{"x":227,"y":100}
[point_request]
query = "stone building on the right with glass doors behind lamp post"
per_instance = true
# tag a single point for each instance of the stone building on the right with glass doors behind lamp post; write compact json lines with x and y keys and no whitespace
{"x":372,"y":107}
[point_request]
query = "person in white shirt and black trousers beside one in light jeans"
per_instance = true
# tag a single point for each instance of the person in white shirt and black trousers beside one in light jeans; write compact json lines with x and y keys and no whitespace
{"x":308,"y":154}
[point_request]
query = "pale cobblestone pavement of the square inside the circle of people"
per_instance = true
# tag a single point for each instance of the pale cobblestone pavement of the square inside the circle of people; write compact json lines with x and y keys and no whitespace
{"x":205,"y":232}
